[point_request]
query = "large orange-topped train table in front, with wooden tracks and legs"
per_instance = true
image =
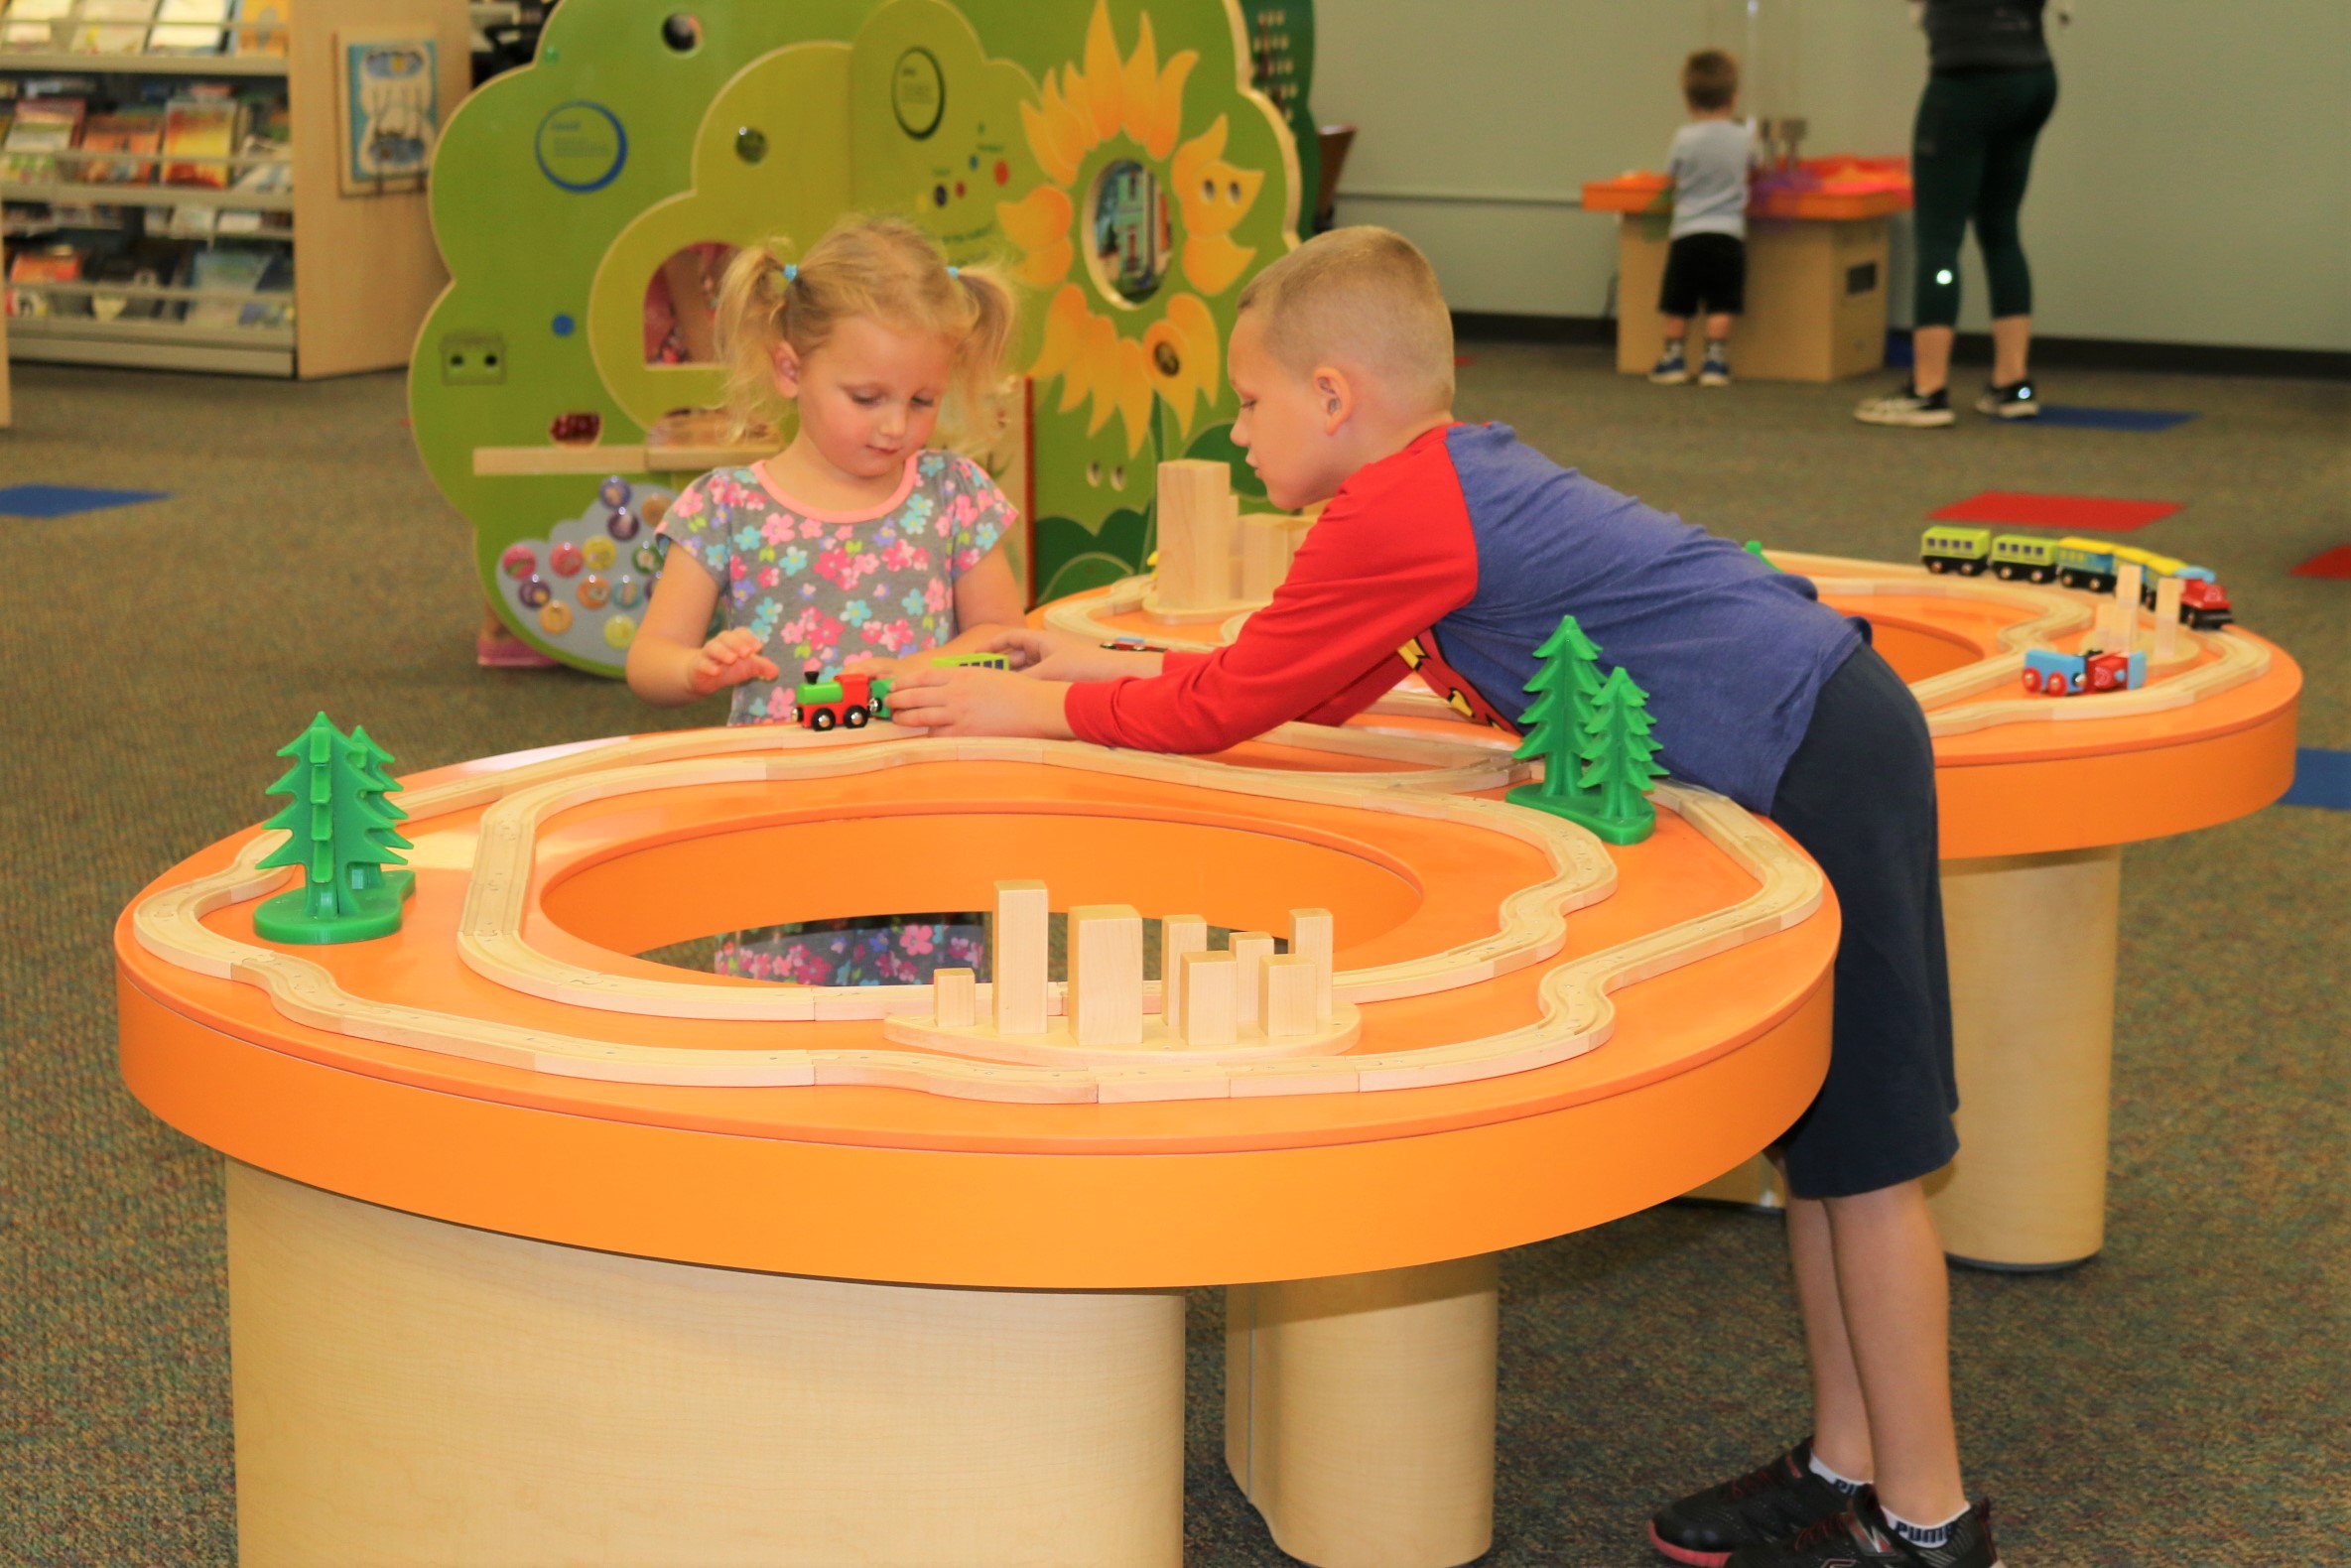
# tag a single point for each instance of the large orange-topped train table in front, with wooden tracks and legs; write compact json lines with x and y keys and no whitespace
{"x":544,"y":1254}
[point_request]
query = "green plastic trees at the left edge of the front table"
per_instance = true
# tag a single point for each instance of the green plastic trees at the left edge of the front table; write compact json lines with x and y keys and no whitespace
{"x":347,"y":831}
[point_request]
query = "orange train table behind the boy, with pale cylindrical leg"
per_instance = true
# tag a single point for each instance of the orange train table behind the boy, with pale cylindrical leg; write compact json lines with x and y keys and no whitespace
{"x":2037,"y":800}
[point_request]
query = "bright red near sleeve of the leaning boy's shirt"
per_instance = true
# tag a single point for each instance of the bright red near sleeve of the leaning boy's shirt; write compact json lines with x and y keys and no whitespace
{"x":1379,"y":570}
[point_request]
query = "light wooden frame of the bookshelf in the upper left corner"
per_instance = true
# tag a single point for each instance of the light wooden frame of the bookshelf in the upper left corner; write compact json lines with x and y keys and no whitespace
{"x":366,"y":267}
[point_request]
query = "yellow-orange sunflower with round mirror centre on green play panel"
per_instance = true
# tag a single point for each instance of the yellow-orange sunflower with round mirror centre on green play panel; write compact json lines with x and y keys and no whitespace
{"x":1118,"y":123}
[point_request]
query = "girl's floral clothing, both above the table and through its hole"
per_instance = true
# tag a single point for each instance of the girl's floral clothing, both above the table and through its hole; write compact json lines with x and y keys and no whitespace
{"x":822,"y":589}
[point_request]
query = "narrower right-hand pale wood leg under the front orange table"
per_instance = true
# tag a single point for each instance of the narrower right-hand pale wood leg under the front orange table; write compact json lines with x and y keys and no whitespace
{"x":1360,"y":1414}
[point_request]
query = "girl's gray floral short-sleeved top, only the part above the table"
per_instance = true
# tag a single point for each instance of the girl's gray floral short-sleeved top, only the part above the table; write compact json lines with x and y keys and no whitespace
{"x":822,"y":589}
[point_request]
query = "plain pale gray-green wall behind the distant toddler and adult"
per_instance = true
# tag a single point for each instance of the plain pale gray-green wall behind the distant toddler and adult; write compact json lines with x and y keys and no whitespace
{"x":2195,"y":185}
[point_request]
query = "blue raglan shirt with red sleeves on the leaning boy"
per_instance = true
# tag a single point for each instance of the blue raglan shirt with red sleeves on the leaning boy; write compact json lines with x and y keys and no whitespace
{"x":1456,"y":558}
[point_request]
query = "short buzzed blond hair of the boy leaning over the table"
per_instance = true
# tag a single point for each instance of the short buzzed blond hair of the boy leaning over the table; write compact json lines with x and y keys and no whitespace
{"x":1360,"y":295}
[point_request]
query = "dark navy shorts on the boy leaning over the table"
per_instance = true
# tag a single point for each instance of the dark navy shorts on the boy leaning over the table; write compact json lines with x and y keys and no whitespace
{"x":1861,"y":798}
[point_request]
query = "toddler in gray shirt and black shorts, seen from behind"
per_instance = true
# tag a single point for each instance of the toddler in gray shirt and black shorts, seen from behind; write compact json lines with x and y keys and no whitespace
{"x":1706,"y":262}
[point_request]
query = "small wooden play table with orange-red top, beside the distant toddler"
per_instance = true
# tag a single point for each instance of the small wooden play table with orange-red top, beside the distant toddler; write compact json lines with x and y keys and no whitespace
{"x":1816,"y":286}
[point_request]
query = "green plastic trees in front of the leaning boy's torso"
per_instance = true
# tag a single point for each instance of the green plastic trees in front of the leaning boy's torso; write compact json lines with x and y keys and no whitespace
{"x":1593,"y":739}
